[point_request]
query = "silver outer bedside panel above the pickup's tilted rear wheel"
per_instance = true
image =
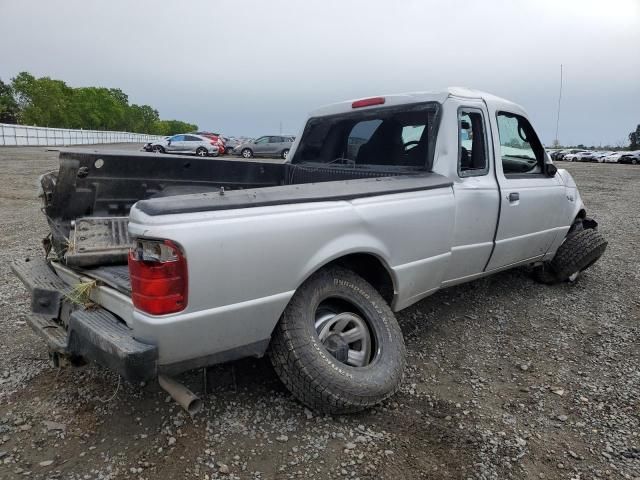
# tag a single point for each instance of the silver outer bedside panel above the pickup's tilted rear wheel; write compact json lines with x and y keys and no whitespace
{"x":245,"y":264}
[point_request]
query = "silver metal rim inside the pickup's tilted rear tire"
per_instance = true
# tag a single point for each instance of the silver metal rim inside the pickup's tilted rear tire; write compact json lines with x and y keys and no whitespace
{"x":345,"y":335}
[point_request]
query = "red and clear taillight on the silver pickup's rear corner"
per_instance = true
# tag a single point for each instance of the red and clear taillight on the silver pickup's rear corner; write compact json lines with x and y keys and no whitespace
{"x":158,"y":273}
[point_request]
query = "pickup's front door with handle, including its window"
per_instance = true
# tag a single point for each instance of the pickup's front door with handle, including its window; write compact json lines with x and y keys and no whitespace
{"x":531,"y":201}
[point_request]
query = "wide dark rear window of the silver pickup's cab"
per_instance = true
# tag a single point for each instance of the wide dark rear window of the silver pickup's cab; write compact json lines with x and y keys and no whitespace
{"x":397,"y":136}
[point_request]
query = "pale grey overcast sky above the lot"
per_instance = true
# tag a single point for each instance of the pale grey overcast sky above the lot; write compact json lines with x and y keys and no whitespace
{"x":242,"y":67}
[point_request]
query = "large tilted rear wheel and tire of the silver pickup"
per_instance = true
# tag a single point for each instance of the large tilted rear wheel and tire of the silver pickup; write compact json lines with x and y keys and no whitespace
{"x":338,"y":347}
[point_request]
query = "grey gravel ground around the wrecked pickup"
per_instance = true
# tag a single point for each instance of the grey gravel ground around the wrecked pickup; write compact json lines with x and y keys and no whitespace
{"x":506,"y":378}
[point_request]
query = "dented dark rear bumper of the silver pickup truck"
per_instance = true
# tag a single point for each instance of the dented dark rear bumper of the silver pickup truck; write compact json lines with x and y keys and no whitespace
{"x":92,"y":333}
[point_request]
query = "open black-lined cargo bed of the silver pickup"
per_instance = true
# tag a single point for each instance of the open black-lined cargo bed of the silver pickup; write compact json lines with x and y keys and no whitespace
{"x":87,"y":202}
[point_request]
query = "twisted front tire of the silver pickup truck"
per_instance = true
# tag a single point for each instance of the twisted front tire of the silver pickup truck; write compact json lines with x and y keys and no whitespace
{"x":578,"y":252}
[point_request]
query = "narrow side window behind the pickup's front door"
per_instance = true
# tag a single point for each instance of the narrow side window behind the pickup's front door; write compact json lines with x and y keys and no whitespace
{"x":472,"y":144}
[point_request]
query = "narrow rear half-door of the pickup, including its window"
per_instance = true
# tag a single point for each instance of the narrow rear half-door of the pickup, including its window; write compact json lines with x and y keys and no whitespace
{"x":477,"y":197}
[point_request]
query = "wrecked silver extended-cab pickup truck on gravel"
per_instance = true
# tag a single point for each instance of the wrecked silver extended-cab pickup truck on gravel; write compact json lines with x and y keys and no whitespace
{"x":159,"y":264}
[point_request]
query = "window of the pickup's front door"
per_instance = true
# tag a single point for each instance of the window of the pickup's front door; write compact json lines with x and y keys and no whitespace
{"x":520,"y":148}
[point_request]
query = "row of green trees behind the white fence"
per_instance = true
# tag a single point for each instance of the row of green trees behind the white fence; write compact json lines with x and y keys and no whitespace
{"x":47,"y":102}
